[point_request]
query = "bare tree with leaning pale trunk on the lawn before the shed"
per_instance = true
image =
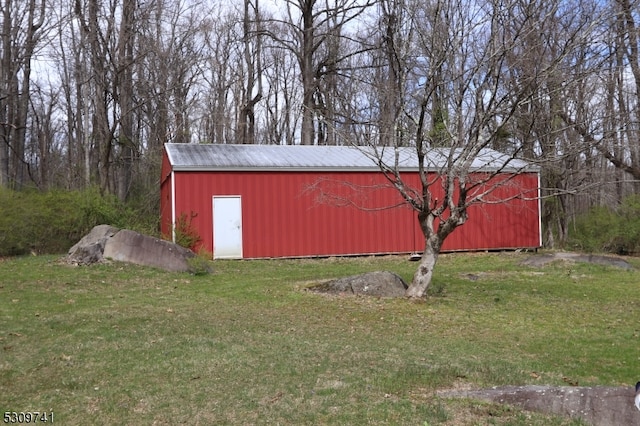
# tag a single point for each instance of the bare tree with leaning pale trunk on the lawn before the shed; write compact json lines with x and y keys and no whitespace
{"x":456,"y":99}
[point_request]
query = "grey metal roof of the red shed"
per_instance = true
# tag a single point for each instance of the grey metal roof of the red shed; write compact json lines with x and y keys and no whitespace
{"x":210,"y":157}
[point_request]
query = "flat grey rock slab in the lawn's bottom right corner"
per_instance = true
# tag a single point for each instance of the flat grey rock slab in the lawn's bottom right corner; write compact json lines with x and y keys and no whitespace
{"x":598,"y":405}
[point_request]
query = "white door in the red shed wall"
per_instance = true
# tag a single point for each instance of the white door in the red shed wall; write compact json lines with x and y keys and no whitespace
{"x":227,"y":227}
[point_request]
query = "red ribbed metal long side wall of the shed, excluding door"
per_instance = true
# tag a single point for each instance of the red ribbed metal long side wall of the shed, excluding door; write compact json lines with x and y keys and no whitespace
{"x":289,"y":214}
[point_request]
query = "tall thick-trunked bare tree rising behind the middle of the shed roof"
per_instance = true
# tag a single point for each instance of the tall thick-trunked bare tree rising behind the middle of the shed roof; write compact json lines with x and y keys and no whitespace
{"x":316,"y":29}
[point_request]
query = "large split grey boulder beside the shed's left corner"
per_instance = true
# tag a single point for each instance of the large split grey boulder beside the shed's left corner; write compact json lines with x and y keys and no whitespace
{"x":107,"y":242}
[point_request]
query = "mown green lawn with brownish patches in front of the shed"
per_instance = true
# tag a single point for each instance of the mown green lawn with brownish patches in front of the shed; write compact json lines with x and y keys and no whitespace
{"x":121,"y":344}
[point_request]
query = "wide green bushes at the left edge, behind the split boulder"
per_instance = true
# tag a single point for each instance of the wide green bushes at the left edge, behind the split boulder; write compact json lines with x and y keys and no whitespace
{"x":51,"y":222}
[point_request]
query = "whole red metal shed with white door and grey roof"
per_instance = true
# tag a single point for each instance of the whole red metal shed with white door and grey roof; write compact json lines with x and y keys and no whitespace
{"x":262,"y":201}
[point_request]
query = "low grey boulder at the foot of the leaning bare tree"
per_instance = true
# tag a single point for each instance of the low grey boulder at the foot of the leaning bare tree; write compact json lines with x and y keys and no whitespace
{"x":379,"y":283}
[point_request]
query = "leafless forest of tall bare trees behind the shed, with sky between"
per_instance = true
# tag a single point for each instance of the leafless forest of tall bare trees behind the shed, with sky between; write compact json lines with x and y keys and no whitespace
{"x":90,"y":90}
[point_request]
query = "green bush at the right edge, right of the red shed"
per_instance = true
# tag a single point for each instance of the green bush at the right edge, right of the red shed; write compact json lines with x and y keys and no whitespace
{"x":609,"y":230}
